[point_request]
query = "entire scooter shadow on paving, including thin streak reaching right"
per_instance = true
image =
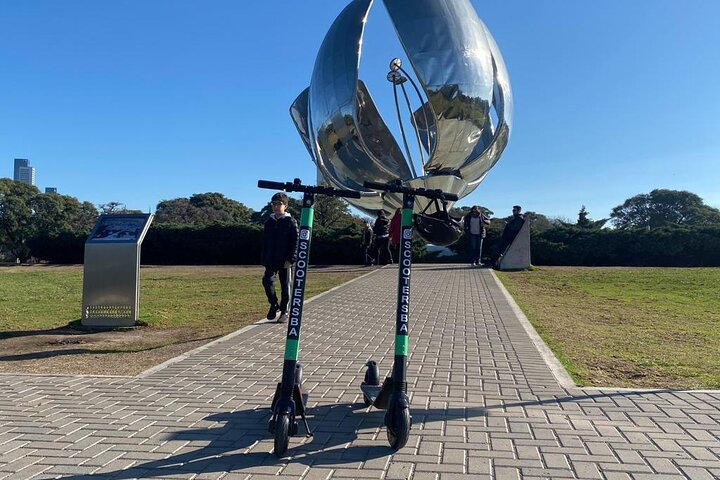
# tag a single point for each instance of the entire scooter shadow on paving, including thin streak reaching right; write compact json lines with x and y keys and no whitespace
{"x":234,"y":445}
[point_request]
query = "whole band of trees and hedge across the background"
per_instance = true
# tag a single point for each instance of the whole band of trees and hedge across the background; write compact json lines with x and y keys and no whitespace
{"x":663,"y":227}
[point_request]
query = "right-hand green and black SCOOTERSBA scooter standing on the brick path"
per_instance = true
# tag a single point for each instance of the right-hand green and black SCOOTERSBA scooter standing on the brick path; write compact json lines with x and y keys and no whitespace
{"x":392,"y":394}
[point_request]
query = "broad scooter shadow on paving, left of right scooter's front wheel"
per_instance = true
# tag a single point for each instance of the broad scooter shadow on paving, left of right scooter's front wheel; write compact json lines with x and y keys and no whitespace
{"x":334,"y":426}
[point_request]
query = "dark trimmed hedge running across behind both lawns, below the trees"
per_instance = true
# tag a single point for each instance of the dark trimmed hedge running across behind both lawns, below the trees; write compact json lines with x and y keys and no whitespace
{"x":227,"y":244}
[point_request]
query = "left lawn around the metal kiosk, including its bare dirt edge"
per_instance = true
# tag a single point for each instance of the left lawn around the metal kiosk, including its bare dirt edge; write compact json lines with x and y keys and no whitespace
{"x":182,"y":308}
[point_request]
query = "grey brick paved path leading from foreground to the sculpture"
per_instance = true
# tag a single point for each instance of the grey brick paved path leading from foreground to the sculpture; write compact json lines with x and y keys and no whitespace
{"x":484,"y":404}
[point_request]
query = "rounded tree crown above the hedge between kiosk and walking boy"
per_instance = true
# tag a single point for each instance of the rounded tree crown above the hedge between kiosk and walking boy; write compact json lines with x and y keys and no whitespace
{"x":201,"y":209}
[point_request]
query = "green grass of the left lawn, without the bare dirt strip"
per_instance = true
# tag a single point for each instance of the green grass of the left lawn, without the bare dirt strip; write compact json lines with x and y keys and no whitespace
{"x":38,"y":298}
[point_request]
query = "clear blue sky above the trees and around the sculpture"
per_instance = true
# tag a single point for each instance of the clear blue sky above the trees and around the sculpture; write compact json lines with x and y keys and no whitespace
{"x":140,"y":101}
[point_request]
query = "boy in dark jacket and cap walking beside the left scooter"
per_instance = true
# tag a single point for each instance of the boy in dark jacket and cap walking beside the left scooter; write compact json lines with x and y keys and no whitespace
{"x":279,"y":249}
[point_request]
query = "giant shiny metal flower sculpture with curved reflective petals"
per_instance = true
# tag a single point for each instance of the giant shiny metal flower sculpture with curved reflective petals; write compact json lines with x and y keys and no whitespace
{"x":461,"y":127}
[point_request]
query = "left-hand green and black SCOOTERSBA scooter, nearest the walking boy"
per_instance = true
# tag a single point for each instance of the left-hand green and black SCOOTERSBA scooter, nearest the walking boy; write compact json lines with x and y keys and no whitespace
{"x":288,"y":400}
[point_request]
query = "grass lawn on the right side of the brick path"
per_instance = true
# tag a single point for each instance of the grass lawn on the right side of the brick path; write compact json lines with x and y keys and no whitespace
{"x":627,"y":327}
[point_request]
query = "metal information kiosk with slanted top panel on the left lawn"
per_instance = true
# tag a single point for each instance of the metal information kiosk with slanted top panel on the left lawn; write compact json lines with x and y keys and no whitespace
{"x":112,"y":270}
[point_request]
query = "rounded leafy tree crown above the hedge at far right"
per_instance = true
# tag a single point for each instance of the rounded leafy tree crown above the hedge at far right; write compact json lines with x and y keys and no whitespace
{"x":663,"y":207}
